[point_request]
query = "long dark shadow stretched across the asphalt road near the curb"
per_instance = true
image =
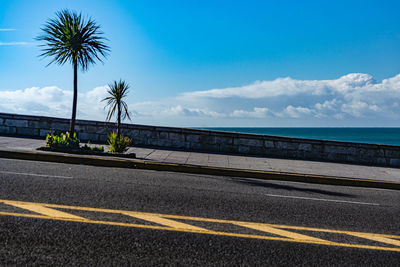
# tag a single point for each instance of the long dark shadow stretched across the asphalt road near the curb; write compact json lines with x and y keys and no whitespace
{"x":252,"y":182}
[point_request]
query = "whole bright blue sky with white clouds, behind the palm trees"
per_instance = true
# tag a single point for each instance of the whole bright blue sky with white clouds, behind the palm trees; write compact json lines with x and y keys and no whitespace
{"x":216,"y":63}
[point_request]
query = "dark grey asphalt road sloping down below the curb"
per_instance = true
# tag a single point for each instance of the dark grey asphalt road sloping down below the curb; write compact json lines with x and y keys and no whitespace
{"x":45,"y":240}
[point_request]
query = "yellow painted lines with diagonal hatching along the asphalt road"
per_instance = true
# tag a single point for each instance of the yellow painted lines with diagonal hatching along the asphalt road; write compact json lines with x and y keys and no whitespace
{"x":174,"y":223}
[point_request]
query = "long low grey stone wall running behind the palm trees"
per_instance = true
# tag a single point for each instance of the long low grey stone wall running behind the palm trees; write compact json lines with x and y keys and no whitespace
{"x":209,"y":141}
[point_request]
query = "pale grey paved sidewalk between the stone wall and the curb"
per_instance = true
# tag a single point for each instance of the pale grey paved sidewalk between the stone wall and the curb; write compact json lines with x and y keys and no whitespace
{"x":250,"y":163}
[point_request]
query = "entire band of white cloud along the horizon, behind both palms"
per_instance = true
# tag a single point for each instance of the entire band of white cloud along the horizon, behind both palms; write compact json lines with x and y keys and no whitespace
{"x":349,"y":100}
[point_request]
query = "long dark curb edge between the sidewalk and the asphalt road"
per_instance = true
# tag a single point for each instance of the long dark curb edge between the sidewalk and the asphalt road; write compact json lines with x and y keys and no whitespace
{"x":195,"y":169}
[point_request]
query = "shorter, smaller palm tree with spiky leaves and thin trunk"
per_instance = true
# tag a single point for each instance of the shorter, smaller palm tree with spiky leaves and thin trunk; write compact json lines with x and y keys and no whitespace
{"x":116,"y":93}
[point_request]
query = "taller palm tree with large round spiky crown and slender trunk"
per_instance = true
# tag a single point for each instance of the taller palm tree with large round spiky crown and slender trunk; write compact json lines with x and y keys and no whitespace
{"x":72,"y":38}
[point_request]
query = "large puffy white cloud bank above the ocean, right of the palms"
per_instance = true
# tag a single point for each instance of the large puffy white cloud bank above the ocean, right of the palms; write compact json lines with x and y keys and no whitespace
{"x":351,"y":96}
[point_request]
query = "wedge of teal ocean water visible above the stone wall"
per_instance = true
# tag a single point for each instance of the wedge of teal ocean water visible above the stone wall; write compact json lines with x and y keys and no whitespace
{"x":387,"y":136}
